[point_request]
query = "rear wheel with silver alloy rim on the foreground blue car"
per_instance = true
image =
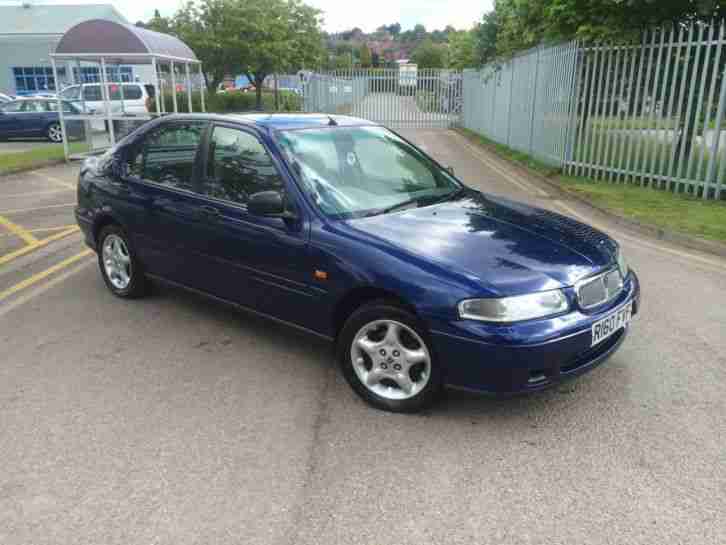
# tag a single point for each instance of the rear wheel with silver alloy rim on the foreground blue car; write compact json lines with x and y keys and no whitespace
{"x":121,"y":270}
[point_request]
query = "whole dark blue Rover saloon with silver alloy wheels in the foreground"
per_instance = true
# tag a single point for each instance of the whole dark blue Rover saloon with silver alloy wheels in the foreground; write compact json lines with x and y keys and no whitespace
{"x":342,"y":228}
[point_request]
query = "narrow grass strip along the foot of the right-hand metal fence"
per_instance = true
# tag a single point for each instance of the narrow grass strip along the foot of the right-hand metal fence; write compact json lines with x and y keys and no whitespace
{"x":660,"y":208}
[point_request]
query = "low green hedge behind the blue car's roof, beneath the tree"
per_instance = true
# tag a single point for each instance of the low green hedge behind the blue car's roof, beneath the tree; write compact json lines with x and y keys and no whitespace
{"x":234,"y":102}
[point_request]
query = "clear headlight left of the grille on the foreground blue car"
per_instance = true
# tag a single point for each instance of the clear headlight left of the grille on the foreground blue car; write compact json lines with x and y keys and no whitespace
{"x":514,"y":309}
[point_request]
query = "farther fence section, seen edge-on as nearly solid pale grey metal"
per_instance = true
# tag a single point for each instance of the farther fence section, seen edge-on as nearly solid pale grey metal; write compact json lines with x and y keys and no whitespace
{"x":526,"y":103}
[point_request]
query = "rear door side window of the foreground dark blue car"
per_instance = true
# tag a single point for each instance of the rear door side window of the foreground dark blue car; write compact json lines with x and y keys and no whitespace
{"x":167,"y":156}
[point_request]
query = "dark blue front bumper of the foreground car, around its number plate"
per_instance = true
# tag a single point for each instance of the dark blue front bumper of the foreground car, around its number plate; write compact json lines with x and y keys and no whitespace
{"x":529,"y":356}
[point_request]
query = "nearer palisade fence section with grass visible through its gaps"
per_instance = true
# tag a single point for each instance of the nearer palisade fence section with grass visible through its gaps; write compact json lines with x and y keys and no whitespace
{"x":653,"y":114}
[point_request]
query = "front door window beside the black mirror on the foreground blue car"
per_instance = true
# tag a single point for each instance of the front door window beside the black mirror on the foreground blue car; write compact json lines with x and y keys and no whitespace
{"x":239,"y":166}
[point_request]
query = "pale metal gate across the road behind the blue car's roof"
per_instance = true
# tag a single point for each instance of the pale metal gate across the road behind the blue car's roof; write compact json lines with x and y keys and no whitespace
{"x":405,"y":98}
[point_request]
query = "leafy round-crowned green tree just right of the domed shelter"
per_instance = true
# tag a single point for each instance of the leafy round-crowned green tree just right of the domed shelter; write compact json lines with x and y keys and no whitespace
{"x":254,"y":37}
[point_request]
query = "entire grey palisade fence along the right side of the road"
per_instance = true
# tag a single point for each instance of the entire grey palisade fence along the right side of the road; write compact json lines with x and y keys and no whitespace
{"x":651,"y":114}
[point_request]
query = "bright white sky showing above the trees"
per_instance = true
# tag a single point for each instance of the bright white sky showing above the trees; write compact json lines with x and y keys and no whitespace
{"x":338,"y":15}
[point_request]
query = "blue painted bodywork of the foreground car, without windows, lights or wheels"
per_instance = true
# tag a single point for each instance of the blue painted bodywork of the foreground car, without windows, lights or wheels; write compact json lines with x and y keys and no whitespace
{"x":430,"y":258}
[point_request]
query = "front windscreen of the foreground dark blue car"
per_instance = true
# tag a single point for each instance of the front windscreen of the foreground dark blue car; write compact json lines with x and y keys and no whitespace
{"x":353,"y":172}
